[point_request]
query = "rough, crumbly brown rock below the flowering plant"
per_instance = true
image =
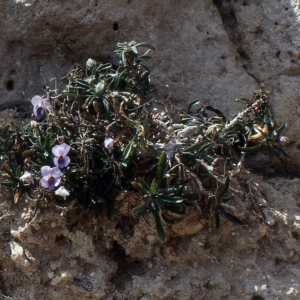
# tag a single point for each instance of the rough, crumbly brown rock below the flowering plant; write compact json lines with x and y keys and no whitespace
{"x":86,"y":258}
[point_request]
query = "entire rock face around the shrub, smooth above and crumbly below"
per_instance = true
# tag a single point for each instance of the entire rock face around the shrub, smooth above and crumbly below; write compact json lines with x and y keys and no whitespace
{"x":215,"y":51}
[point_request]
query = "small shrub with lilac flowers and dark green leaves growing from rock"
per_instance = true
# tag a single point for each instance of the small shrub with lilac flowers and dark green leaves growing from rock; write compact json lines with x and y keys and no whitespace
{"x":100,"y":137}
